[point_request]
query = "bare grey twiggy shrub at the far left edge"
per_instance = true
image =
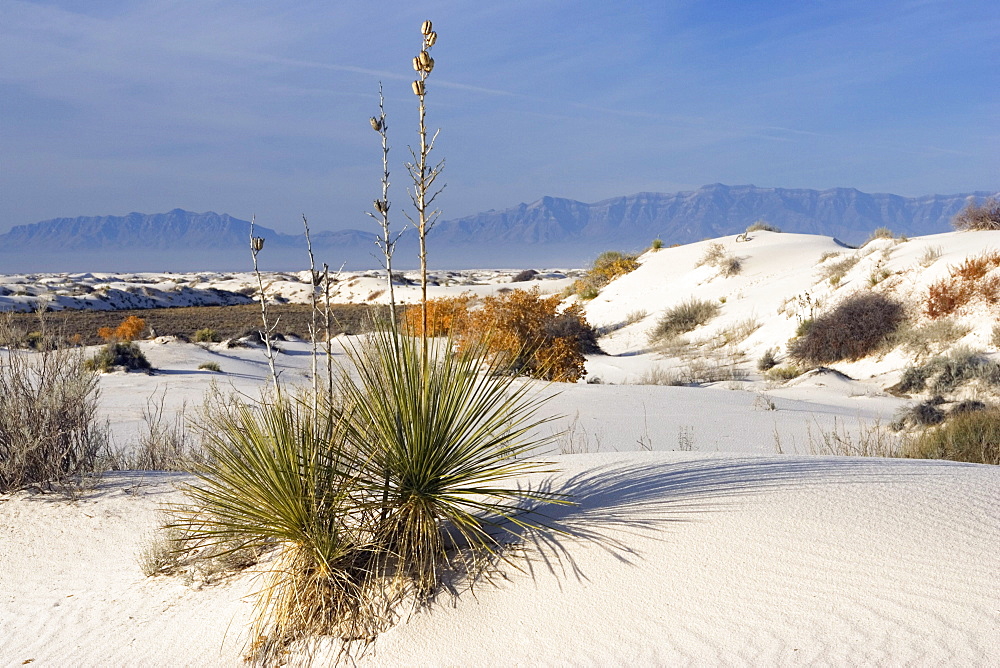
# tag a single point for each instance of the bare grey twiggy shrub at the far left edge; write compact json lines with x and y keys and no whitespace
{"x":49,"y":433}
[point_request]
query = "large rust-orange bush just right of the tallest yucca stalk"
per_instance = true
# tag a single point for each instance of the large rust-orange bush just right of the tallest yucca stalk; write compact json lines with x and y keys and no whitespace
{"x":529,"y":335}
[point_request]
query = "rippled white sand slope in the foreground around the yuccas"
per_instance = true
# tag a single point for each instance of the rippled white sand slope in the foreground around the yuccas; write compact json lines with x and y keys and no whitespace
{"x":669,"y":558}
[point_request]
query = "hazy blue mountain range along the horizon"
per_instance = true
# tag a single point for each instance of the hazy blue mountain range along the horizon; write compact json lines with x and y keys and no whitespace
{"x":549,"y":232}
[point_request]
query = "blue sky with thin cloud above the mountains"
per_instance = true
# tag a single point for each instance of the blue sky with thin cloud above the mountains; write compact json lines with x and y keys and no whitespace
{"x":262,"y":108}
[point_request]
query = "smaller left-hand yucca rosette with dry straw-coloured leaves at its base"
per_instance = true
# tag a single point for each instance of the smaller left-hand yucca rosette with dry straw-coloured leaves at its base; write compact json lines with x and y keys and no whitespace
{"x":279,"y":477}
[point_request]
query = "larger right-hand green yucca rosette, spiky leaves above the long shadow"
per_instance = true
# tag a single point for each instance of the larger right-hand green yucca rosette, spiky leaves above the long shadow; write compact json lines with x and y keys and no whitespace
{"x":446,"y":432}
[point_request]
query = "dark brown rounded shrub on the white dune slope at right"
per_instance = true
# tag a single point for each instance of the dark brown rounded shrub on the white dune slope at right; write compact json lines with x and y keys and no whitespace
{"x":856,"y":328}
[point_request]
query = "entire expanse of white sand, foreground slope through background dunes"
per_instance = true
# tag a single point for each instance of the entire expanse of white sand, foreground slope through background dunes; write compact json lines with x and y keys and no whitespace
{"x":694,"y":541}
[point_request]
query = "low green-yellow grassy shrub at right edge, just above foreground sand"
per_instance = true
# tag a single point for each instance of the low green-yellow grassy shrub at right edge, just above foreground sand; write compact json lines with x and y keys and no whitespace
{"x":966,"y":437}
